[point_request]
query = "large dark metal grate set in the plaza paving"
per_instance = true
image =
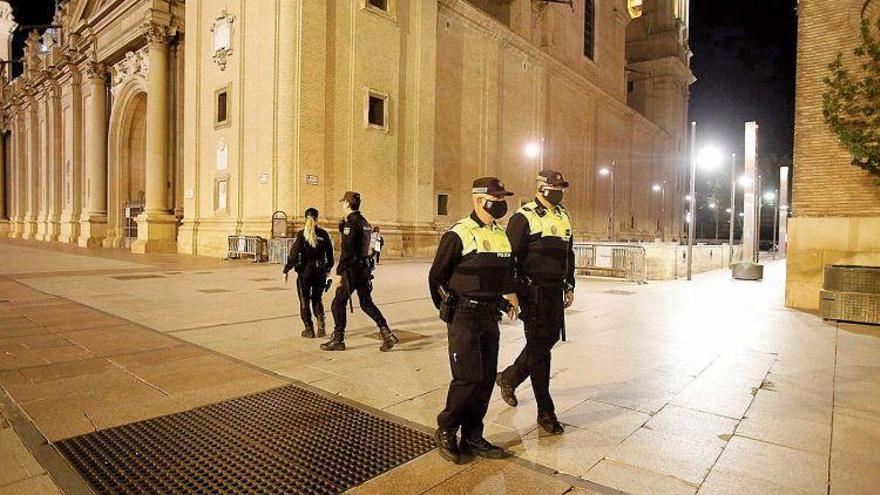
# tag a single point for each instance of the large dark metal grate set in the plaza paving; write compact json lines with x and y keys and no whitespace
{"x":286,"y":440}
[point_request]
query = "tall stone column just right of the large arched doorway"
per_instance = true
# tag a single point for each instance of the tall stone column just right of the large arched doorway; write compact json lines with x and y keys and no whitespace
{"x":157,"y":226}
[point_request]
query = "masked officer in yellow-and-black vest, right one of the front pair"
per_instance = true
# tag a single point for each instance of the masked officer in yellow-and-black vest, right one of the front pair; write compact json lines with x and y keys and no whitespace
{"x":542,"y":245}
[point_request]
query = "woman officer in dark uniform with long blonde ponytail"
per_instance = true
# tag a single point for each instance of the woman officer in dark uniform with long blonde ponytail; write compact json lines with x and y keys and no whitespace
{"x":311,"y":257}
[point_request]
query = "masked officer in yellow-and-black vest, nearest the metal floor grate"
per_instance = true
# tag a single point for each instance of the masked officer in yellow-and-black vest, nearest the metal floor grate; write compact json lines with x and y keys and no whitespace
{"x":472,"y":270}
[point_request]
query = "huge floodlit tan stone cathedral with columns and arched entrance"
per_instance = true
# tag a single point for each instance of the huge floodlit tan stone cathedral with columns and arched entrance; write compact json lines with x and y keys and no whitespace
{"x":168,"y":125}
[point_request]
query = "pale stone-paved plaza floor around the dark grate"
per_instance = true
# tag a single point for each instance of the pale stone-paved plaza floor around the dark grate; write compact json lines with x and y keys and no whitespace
{"x":710,"y":386}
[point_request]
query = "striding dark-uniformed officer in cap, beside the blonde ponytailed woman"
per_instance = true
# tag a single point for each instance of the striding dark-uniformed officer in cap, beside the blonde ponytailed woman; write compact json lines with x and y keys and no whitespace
{"x":354,"y":273}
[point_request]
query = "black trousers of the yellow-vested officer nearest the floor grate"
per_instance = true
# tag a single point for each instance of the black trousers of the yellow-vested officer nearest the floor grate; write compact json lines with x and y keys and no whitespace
{"x":473,"y":357}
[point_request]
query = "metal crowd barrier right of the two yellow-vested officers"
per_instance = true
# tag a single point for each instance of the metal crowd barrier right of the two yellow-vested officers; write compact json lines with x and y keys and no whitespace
{"x":628,"y":262}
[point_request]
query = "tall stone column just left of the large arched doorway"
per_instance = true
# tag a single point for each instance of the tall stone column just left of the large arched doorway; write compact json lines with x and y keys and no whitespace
{"x":93,"y":222}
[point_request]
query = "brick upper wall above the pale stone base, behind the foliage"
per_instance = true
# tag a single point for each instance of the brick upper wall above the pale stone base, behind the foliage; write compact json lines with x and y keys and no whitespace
{"x":825,"y":184}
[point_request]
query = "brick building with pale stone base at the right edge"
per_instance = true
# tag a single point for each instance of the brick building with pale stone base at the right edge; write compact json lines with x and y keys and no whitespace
{"x":835,"y":206}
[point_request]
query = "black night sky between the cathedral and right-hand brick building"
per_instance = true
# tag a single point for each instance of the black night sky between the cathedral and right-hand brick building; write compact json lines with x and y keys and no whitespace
{"x":744,"y":60}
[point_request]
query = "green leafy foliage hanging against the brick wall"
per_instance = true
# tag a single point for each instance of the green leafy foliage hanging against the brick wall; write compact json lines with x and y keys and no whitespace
{"x":851,"y":104}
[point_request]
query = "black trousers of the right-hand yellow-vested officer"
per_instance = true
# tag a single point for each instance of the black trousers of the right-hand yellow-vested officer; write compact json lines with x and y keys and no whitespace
{"x":543,"y":311}
